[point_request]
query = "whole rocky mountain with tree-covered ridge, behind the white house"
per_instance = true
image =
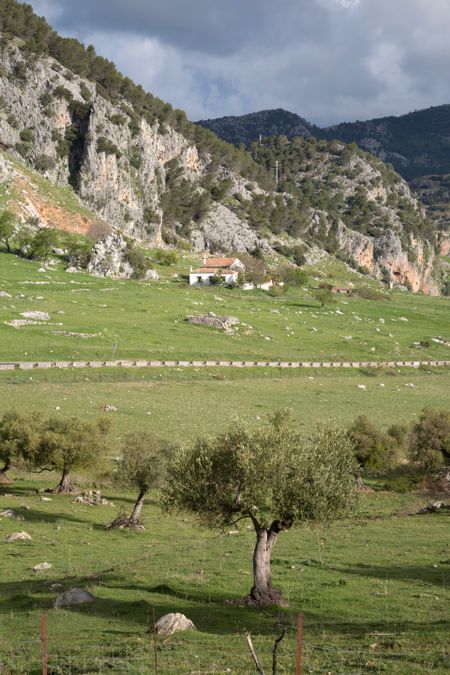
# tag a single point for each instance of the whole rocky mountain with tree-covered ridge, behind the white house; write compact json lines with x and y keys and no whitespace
{"x":133,"y":162}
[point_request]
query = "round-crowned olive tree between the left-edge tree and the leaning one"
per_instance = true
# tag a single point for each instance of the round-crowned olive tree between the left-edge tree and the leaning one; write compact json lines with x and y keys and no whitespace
{"x":67,"y":444}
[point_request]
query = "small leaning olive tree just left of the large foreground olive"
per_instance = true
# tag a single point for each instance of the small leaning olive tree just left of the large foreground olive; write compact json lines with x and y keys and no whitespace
{"x":143,"y":467}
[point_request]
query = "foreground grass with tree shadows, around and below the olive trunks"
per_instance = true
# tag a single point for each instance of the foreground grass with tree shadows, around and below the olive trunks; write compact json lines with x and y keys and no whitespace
{"x":373,"y":590}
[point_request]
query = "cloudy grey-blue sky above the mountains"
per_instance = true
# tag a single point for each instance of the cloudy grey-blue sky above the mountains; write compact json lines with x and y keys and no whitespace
{"x":327,"y":60}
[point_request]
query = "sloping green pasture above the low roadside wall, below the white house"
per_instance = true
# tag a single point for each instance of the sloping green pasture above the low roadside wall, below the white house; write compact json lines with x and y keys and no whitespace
{"x":147,"y":319}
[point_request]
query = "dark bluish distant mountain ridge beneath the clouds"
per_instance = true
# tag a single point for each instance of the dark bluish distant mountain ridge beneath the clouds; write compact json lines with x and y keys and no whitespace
{"x":416,"y":144}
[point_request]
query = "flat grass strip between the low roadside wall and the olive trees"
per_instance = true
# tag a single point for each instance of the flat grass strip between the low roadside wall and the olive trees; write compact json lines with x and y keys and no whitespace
{"x":185,"y":403}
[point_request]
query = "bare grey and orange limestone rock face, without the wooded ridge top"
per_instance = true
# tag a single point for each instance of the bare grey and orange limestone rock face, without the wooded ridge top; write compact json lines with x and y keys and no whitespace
{"x":137,"y":174}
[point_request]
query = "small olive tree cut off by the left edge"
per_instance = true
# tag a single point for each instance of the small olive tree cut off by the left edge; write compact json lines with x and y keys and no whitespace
{"x":19,"y":436}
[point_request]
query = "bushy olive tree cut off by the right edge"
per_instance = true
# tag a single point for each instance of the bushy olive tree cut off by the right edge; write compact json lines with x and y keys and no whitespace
{"x":429,"y":441}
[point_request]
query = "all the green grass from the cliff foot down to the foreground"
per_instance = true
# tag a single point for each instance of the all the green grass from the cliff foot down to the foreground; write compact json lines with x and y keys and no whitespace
{"x":373,"y":589}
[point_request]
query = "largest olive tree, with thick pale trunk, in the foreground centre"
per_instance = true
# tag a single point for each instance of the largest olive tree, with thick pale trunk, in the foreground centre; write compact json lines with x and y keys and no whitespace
{"x":275,"y":476}
